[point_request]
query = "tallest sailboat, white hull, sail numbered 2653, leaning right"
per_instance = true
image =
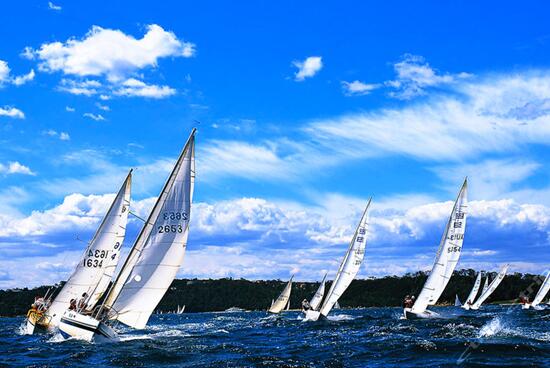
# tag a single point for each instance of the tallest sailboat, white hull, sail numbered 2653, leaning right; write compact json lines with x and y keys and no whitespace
{"x":152,"y":263}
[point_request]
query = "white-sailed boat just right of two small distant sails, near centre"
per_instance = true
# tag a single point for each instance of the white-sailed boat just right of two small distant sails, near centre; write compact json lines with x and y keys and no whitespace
{"x":348,"y":270}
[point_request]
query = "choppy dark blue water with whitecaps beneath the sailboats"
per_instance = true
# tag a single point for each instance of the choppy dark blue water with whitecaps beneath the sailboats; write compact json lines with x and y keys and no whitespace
{"x":496,"y":336}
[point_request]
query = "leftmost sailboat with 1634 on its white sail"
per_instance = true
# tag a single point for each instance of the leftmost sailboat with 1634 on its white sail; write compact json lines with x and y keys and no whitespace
{"x":94,"y":271}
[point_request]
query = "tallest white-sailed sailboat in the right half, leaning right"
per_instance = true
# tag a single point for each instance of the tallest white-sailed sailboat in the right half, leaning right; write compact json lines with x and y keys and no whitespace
{"x":446,"y":259}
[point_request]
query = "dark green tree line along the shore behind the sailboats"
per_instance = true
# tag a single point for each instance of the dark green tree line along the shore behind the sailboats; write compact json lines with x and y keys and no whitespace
{"x":221,"y":294}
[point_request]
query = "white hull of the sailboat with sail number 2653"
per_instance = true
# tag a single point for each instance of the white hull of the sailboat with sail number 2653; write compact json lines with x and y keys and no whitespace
{"x":84,"y":327}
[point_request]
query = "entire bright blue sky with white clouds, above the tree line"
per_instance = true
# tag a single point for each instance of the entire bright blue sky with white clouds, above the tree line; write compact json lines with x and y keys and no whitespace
{"x":305,"y":111}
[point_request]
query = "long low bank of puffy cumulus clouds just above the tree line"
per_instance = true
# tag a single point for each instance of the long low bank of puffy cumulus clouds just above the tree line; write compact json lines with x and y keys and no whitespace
{"x":256,"y":238}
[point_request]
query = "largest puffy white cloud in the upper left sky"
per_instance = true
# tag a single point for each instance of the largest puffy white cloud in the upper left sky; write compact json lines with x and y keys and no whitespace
{"x":111,"y":53}
